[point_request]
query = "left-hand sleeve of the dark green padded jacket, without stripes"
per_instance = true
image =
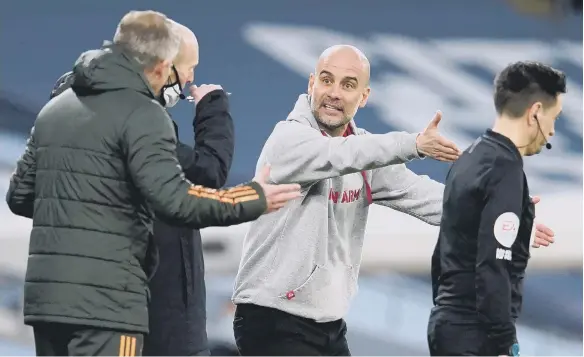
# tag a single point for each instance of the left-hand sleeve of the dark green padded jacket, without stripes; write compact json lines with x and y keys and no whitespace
{"x":20,"y":196}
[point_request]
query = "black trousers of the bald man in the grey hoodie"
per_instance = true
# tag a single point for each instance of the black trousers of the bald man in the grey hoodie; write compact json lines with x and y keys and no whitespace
{"x":262,"y":331}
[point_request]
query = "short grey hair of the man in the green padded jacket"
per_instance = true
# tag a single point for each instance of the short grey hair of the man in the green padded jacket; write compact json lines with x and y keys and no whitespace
{"x":149,"y":36}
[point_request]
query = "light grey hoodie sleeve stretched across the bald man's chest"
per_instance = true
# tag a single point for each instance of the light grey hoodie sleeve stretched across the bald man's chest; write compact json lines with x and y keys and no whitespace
{"x":300,"y":154}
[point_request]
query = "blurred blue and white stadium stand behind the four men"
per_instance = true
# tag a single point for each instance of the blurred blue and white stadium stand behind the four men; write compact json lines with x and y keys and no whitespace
{"x":426,"y":55}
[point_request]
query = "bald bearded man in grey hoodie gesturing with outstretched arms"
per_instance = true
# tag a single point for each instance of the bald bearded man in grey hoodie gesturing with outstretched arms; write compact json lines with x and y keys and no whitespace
{"x":299,"y":268}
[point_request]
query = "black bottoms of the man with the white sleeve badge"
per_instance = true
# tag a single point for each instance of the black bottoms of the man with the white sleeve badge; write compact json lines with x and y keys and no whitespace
{"x":453,"y":332}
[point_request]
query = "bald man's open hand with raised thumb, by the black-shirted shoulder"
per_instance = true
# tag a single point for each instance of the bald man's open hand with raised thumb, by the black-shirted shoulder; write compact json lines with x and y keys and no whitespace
{"x":431,"y":143}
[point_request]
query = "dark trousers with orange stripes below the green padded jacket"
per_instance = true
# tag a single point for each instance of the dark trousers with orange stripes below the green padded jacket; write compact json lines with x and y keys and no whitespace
{"x":55,"y":339}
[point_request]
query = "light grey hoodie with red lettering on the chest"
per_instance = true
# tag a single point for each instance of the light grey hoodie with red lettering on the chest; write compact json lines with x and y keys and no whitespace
{"x":304,"y":259}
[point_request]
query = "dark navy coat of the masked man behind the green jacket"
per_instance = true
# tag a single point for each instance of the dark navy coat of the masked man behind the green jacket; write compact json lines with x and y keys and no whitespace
{"x":178,"y":306}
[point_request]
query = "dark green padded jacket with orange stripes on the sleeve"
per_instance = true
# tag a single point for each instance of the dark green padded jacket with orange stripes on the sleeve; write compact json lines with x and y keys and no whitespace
{"x":100,"y":161}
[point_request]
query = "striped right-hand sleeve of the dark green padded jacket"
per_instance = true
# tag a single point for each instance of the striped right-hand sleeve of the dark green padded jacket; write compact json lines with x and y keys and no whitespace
{"x":150,"y":146}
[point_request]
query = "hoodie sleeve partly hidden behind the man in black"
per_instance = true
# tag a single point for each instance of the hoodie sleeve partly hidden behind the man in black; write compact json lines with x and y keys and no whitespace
{"x":399,"y":188}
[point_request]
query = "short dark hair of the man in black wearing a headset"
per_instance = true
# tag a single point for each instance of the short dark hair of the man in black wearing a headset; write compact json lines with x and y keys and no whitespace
{"x":521,"y":84}
